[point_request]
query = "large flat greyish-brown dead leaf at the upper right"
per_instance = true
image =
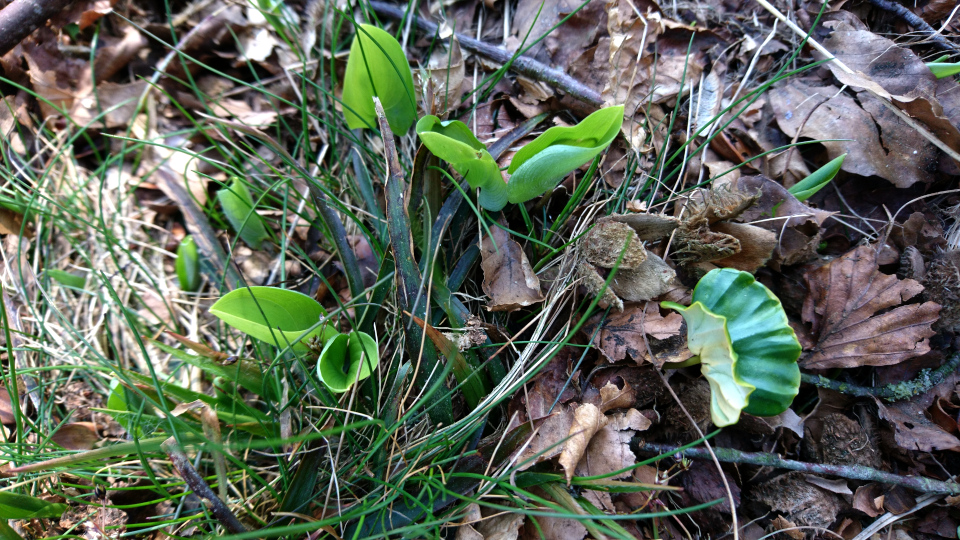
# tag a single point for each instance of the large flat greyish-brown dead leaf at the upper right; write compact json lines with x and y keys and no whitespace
{"x":822,"y":113}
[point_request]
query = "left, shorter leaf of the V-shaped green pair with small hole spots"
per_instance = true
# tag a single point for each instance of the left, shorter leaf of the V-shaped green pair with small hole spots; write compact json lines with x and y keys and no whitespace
{"x":453,"y":142}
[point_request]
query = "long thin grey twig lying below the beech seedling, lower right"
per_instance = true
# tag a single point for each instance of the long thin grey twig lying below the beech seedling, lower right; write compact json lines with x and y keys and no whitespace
{"x":850,"y":472}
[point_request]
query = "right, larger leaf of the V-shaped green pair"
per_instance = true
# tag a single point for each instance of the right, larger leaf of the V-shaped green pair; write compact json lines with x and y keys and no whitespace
{"x":539,"y":166}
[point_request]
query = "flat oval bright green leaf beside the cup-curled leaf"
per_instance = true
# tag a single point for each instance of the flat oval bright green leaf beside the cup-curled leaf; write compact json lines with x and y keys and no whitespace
{"x":277,"y":316}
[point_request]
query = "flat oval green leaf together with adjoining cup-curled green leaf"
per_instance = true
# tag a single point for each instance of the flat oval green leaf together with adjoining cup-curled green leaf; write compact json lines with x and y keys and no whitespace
{"x":287,"y":318}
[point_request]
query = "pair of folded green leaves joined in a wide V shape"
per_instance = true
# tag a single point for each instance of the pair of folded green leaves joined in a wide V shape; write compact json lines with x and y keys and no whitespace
{"x":537,"y":168}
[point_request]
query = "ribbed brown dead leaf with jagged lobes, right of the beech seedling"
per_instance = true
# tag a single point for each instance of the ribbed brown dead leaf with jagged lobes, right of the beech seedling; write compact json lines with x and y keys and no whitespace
{"x":843,"y":302}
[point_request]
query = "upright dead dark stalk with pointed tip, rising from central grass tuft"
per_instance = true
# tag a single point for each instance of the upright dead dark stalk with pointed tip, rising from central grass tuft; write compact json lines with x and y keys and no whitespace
{"x":422,"y":352}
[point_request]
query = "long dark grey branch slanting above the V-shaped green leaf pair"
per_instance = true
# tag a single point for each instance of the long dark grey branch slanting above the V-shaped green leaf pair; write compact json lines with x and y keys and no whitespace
{"x":521,"y":64}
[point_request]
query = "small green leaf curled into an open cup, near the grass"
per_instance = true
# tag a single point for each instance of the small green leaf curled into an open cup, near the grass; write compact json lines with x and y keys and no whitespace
{"x":346,"y":359}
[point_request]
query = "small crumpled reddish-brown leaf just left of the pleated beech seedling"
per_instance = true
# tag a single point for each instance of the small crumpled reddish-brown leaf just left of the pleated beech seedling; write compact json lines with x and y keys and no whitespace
{"x":626,"y":333}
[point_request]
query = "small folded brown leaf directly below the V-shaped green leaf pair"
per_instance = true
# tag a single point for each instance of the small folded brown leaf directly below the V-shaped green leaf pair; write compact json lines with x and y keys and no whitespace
{"x":508,"y":278}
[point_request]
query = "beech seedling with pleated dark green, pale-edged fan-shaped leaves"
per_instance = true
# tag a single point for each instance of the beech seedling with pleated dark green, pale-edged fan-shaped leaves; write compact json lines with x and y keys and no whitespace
{"x":747,"y":350}
